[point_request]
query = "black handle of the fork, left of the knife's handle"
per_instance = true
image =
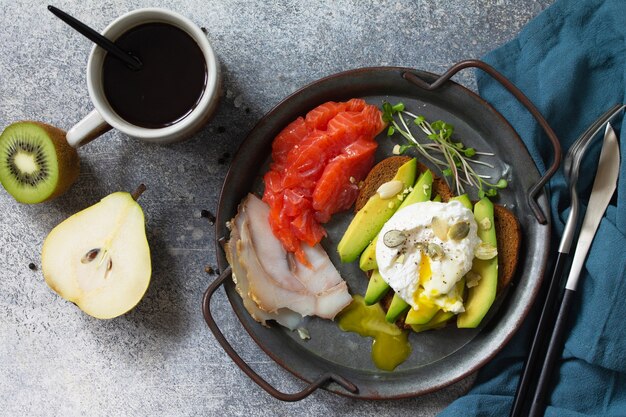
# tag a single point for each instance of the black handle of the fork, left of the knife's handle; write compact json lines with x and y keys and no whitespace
{"x":538,"y":346}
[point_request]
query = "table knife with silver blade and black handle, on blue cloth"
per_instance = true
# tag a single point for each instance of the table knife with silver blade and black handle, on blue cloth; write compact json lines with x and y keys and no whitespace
{"x":604,"y":186}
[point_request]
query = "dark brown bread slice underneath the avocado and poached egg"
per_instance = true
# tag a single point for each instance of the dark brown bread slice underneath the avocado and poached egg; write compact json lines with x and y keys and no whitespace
{"x":508,"y":232}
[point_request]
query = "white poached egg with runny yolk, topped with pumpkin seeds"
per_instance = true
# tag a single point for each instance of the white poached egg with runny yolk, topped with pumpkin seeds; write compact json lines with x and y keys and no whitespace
{"x":425,"y":250}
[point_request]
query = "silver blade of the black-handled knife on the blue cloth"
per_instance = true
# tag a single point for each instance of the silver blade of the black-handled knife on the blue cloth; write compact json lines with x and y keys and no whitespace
{"x":603,"y":188}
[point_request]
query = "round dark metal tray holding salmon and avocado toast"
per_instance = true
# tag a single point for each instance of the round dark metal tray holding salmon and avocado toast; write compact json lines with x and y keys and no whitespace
{"x":440,"y":357}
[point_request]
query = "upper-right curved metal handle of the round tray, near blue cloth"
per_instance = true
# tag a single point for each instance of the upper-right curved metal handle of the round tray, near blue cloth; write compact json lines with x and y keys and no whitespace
{"x":474,"y":63}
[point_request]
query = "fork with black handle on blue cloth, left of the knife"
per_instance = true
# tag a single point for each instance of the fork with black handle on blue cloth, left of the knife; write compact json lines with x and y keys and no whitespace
{"x":571,"y":168}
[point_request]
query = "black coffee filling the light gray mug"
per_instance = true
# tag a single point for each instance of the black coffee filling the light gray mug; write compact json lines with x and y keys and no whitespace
{"x":167,"y":87}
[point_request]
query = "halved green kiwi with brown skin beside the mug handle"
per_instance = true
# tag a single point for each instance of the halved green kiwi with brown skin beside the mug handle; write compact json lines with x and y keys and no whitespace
{"x":36,"y":162}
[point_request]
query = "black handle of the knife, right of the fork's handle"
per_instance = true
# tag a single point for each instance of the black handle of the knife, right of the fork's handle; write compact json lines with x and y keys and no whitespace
{"x":555,"y":348}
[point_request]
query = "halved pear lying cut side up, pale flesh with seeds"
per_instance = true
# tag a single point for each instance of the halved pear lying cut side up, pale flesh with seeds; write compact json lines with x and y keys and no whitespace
{"x":99,"y":258}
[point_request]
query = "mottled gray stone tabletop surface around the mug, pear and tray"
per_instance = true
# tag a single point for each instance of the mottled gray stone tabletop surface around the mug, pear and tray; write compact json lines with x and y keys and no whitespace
{"x":160,"y":359}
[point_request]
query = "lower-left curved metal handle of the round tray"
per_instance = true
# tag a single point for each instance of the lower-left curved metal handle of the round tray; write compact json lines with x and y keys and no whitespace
{"x":208,"y":317}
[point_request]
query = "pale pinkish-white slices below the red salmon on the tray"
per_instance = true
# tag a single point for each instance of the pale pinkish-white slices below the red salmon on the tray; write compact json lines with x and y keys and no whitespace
{"x":272,"y":283}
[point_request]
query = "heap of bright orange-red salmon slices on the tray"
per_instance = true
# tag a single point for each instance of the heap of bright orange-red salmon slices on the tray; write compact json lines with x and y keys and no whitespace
{"x":317,"y":162}
